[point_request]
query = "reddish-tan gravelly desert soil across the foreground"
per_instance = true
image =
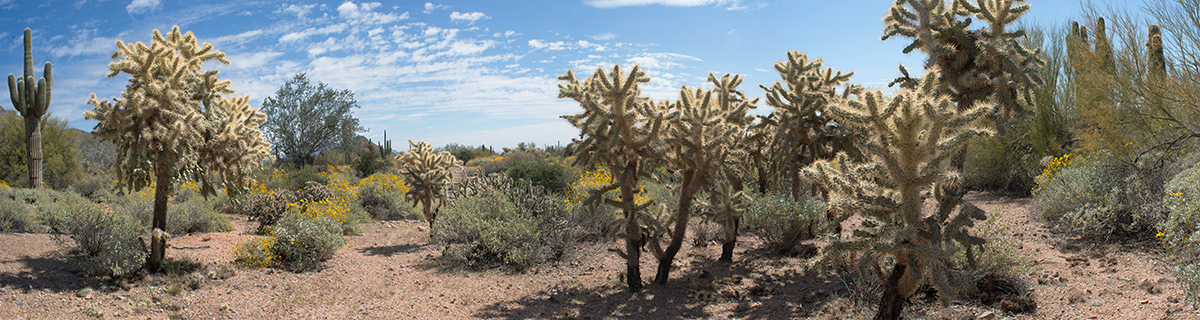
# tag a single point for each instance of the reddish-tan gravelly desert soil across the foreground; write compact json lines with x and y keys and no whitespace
{"x":391,"y":273}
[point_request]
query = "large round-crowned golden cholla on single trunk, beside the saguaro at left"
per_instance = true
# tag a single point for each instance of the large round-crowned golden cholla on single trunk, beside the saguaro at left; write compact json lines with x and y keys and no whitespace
{"x":175,"y":120}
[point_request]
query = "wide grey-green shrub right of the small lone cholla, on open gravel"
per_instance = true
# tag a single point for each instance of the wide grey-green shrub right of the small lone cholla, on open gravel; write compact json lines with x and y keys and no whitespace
{"x":499,"y":221}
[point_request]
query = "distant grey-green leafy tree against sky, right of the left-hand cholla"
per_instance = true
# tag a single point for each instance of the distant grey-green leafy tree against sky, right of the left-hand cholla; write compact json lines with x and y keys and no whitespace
{"x":304,"y":120}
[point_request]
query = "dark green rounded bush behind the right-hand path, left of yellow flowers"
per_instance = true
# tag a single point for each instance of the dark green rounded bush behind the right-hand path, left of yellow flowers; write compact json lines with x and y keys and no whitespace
{"x":1004,"y":164}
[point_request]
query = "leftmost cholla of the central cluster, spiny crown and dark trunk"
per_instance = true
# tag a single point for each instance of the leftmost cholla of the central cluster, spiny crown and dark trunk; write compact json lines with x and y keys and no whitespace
{"x":619,"y":128}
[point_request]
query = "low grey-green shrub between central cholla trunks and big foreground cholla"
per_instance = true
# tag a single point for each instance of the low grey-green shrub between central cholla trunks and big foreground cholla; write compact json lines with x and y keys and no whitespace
{"x":782,"y":221}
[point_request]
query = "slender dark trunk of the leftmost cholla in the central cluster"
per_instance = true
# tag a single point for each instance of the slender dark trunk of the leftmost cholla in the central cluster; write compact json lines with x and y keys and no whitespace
{"x":634,"y":240}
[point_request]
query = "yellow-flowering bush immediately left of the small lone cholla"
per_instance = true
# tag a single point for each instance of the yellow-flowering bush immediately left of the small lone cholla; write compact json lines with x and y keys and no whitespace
{"x":383,"y":197}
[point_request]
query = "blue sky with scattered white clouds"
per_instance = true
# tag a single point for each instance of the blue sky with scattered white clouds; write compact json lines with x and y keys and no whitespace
{"x":467,"y":73}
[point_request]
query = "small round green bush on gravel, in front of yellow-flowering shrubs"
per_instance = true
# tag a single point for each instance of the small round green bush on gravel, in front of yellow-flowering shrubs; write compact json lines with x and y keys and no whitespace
{"x":302,"y":244}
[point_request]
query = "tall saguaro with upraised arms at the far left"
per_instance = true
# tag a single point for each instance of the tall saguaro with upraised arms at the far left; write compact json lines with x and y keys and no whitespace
{"x":32,"y":100}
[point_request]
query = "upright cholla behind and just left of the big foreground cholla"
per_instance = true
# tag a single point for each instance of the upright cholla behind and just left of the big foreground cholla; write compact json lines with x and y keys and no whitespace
{"x":802,"y":129}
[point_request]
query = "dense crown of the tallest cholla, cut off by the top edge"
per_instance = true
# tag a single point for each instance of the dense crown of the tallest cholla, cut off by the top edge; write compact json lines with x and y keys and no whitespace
{"x":977,"y":65}
